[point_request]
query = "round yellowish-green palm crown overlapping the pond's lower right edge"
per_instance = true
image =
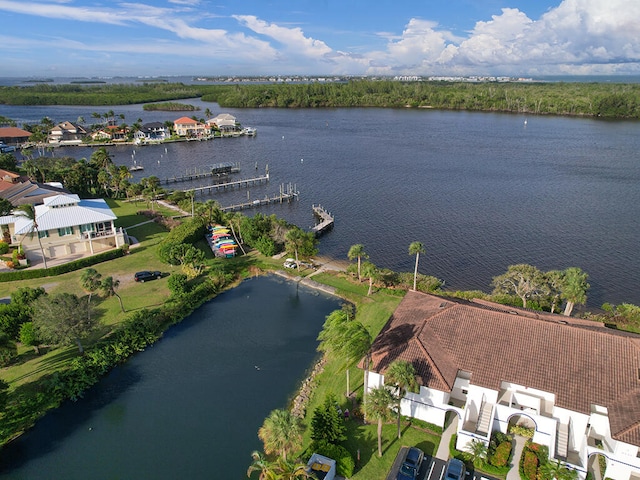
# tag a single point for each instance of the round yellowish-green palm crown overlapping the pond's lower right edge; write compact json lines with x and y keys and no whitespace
{"x":281,"y":432}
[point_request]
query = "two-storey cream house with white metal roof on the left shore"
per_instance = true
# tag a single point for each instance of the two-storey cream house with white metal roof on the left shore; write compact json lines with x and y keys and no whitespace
{"x":66,"y":225}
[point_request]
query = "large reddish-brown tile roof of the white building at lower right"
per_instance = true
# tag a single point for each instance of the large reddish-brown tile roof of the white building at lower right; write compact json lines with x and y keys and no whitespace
{"x":581,"y":362}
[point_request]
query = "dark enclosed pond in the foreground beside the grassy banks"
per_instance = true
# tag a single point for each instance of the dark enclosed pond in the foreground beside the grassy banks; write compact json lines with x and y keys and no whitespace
{"x":190,"y":407}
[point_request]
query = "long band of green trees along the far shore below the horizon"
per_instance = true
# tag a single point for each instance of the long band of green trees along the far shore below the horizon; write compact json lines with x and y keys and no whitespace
{"x":607,"y":100}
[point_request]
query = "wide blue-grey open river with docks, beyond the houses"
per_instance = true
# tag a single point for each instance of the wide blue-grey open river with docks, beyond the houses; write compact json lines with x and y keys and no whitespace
{"x":482,"y":191}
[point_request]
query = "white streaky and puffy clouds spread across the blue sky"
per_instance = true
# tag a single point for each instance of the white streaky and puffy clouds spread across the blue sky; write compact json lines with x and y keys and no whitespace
{"x":577,"y":36}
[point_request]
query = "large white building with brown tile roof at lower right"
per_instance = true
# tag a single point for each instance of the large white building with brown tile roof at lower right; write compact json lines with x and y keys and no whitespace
{"x":574,"y":383}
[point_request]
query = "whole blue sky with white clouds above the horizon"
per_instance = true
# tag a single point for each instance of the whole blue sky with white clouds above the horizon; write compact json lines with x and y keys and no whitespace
{"x":85,"y":38}
